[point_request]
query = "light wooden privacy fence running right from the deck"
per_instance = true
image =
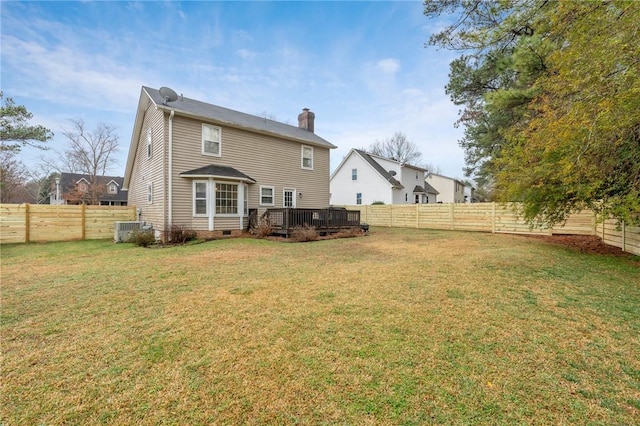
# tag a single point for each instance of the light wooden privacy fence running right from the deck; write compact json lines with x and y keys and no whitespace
{"x":496,"y":218}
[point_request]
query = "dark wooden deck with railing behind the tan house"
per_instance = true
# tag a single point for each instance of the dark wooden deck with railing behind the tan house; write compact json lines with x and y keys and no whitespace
{"x":325,"y":221}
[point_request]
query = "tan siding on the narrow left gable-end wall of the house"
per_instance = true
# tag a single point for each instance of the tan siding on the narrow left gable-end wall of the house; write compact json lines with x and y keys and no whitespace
{"x":147,"y":170}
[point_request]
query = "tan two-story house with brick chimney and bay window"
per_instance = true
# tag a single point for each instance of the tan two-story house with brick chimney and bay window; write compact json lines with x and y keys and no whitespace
{"x":204,"y":167}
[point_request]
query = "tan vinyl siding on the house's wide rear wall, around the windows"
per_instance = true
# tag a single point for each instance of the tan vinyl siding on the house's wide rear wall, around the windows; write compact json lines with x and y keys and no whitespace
{"x":269,"y":160}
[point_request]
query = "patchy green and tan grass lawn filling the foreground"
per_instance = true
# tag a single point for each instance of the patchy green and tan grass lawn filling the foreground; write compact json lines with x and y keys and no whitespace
{"x":399,"y":327}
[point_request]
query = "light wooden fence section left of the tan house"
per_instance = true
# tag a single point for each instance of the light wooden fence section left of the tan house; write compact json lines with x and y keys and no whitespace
{"x":21,"y":223}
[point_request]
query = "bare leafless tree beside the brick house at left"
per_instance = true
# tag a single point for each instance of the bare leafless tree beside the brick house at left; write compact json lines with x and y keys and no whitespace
{"x":92,"y":154}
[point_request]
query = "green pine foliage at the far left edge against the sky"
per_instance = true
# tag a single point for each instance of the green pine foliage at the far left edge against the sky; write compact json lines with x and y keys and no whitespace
{"x":15,"y":131}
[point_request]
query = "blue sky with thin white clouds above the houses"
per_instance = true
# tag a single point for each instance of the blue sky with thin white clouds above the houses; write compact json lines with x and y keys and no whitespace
{"x":361,"y":67}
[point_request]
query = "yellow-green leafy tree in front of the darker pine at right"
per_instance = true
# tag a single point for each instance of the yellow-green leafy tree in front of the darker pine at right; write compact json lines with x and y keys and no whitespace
{"x":581,"y":145}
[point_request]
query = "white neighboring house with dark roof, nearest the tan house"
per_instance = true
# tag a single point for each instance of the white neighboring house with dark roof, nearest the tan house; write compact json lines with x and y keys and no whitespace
{"x":363,"y":178}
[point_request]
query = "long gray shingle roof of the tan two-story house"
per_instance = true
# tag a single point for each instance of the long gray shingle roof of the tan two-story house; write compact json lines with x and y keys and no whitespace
{"x":236,"y":118}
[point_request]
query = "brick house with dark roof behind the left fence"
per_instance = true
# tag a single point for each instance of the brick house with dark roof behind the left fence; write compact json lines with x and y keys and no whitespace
{"x":75,"y":188}
